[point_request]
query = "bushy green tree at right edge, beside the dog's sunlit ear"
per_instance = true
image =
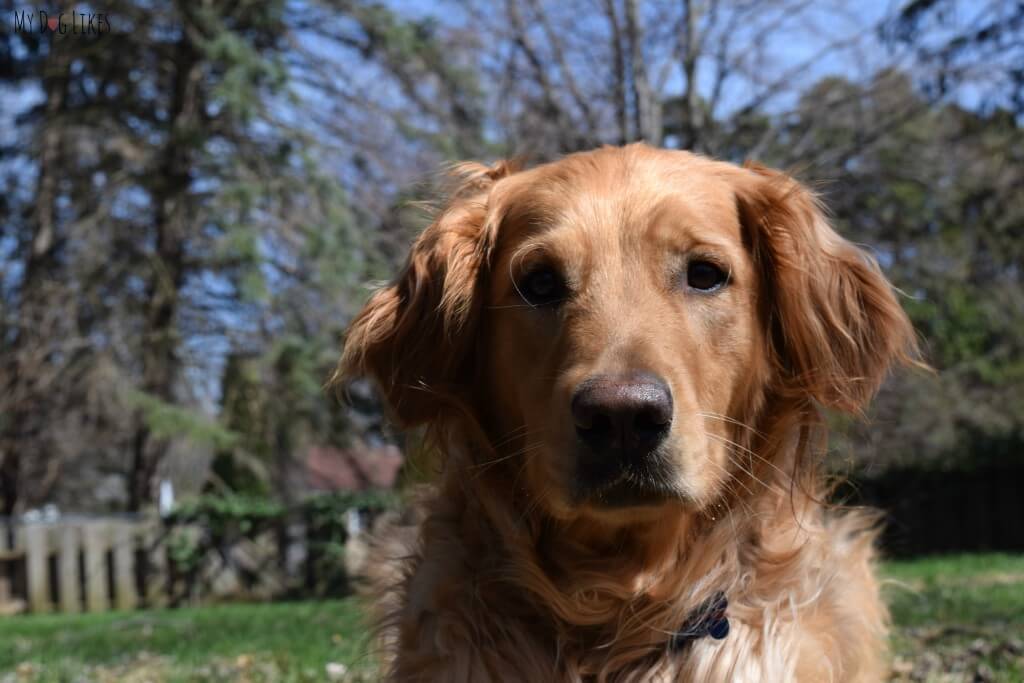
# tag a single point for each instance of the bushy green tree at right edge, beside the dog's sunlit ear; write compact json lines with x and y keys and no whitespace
{"x":935,"y":192}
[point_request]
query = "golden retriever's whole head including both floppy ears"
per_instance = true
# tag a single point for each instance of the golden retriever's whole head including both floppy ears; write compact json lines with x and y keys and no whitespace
{"x":616,"y":327}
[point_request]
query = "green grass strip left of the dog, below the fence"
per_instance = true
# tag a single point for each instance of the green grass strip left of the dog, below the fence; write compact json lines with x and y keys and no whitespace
{"x":259,"y":643}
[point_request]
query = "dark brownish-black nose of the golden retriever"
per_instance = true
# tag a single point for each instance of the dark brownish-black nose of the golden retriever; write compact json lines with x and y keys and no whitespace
{"x":630,"y":417}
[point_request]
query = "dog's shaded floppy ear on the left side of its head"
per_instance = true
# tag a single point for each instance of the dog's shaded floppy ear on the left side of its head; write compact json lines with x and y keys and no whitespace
{"x":415,"y":337}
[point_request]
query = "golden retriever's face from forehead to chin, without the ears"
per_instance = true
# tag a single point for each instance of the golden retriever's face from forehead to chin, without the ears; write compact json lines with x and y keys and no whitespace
{"x":621,"y":331}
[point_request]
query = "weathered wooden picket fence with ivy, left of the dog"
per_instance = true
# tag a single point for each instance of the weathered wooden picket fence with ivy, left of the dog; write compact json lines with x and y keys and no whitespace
{"x":75,"y":564}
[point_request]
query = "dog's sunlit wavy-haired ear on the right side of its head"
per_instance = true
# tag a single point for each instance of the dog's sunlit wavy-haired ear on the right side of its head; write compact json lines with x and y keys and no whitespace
{"x":835,"y":325}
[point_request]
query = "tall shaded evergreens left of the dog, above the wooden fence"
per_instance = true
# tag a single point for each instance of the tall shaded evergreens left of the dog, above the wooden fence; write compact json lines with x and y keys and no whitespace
{"x":172,"y":212}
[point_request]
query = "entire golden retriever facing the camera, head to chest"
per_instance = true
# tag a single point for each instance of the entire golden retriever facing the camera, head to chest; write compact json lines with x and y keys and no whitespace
{"x":622,"y":359}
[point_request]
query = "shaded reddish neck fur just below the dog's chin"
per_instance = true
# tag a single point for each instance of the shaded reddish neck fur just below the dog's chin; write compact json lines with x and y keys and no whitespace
{"x":658,"y":560}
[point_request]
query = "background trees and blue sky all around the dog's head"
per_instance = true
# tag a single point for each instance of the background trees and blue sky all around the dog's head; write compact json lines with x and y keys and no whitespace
{"x":192,"y":204}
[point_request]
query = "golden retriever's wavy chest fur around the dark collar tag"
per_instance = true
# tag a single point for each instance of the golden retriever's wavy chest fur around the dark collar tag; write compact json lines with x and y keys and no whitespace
{"x":802,"y":607}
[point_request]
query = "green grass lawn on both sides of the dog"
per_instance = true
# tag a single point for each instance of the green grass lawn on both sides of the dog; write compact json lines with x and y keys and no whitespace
{"x":957,"y":619}
